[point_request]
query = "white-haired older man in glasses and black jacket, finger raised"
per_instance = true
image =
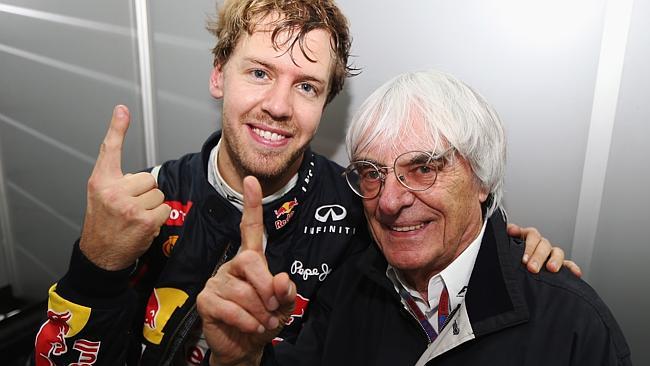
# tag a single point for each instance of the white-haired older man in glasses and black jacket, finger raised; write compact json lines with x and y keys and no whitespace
{"x":442,"y":285}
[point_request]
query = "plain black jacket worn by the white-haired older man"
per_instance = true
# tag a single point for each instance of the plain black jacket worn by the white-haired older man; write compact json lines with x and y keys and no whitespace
{"x":508,"y":317}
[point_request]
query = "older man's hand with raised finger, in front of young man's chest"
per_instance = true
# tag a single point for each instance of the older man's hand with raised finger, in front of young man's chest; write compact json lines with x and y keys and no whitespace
{"x":244,"y":306}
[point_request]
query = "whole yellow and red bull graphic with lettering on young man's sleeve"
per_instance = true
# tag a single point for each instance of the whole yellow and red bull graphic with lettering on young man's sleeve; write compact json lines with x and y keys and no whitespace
{"x":65,"y":319}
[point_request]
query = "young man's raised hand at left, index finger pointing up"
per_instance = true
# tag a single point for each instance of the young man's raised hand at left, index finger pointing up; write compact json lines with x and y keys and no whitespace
{"x":123,"y":212}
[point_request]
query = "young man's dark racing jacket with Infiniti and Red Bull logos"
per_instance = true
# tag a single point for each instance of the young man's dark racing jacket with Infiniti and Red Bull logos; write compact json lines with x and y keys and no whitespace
{"x":111,"y":316}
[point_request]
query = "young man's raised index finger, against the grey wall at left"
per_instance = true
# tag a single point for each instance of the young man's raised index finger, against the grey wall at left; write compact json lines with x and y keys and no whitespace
{"x":109,"y":160}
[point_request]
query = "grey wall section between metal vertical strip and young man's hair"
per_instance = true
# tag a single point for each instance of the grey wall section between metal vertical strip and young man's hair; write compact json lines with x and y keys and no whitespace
{"x":186,"y":113}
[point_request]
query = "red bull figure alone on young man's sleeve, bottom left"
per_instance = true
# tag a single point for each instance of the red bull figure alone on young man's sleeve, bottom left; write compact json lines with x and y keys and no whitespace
{"x":50,"y":340}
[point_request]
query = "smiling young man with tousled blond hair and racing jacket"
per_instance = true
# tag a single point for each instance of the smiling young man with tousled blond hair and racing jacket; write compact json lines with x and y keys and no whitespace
{"x":151,"y":240}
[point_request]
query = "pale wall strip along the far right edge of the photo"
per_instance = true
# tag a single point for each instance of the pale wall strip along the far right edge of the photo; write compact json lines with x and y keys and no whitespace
{"x":619,"y":269}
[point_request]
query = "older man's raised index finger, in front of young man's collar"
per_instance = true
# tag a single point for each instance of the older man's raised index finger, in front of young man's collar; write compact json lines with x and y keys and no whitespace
{"x":252,"y":224}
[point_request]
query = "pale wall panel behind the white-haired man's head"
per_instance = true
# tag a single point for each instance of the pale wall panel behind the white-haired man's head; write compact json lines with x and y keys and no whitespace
{"x":534,"y":61}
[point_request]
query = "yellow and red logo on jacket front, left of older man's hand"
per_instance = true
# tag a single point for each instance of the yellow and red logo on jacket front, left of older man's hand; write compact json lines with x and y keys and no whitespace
{"x":161,"y":305}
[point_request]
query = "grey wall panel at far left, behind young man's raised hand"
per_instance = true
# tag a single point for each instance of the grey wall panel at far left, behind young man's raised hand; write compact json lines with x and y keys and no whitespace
{"x":63,"y":66}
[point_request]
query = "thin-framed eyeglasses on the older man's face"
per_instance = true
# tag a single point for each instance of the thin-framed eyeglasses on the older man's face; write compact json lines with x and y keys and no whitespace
{"x":415,"y":170}
